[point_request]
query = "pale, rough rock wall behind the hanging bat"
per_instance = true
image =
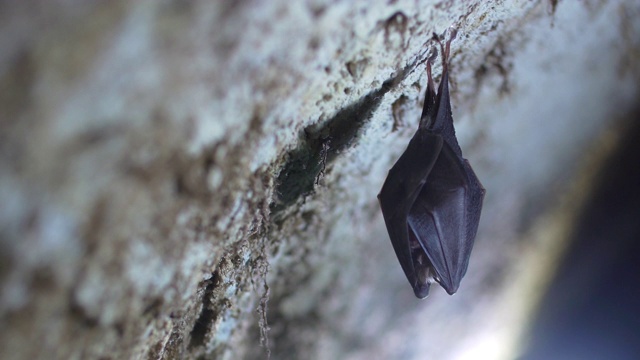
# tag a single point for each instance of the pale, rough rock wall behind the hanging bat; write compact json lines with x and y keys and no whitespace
{"x":198,"y":179}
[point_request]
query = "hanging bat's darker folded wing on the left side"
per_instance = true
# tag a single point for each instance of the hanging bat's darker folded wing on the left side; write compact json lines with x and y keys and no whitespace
{"x":399,"y":192}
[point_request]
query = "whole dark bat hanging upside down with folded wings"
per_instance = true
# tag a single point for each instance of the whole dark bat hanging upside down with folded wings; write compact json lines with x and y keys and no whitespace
{"x":431,"y":200}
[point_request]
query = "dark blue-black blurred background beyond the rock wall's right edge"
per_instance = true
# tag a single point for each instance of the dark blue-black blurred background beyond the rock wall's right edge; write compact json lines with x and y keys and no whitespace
{"x":592,"y":308}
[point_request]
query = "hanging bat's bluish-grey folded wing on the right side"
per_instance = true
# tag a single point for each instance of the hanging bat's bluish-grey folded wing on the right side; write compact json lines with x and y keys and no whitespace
{"x":444,"y":217}
